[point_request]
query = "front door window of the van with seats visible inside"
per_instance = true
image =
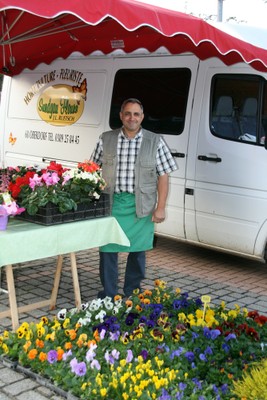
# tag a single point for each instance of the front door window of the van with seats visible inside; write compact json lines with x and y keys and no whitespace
{"x":239,"y":108}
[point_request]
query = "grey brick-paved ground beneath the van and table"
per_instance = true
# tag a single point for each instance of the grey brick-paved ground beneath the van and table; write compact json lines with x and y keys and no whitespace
{"x":195,"y":270}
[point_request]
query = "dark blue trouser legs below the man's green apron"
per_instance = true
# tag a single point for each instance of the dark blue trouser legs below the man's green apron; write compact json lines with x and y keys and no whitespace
{"x":134,"y":273}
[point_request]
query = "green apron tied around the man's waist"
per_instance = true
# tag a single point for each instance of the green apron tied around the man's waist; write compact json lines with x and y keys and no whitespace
{"x":140,"y":231}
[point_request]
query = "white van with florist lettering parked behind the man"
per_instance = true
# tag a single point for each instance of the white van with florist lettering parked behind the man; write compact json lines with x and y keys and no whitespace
{"x":213,"y":117}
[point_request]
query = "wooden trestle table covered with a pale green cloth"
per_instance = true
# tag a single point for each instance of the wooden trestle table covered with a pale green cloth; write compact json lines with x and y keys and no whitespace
{"x":25,"y":241}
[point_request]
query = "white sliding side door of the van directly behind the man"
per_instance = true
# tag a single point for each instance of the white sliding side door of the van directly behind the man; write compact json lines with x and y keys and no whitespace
{"x":165,"y":86}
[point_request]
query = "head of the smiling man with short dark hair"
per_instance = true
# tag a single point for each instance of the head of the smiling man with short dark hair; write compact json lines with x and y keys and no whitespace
{"x":131,"y":115}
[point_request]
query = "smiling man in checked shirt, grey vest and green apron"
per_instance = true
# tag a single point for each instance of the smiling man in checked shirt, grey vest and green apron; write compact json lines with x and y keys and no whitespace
{"x":135,"y":164}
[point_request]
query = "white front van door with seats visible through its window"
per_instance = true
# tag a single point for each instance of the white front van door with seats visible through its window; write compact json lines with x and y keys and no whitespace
{"x":231,"y":161}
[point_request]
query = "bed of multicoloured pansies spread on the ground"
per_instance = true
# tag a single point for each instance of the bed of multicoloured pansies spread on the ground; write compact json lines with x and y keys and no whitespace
{"x":159,"y":344}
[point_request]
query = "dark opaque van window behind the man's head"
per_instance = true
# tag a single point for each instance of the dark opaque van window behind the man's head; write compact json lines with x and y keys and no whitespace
{"x":163,"y":93}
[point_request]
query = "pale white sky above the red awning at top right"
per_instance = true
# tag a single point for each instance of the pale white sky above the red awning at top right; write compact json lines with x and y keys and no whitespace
{"x":251,"y":12}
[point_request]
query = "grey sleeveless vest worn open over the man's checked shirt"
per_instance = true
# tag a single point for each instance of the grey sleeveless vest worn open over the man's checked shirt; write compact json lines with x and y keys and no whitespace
{"x":145,"y":169}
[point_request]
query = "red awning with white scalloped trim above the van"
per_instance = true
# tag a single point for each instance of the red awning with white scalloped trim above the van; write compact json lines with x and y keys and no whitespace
{"x":33,"y":32}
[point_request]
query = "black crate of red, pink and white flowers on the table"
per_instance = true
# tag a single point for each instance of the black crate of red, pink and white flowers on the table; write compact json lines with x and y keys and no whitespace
{"x":56,"y":194}
